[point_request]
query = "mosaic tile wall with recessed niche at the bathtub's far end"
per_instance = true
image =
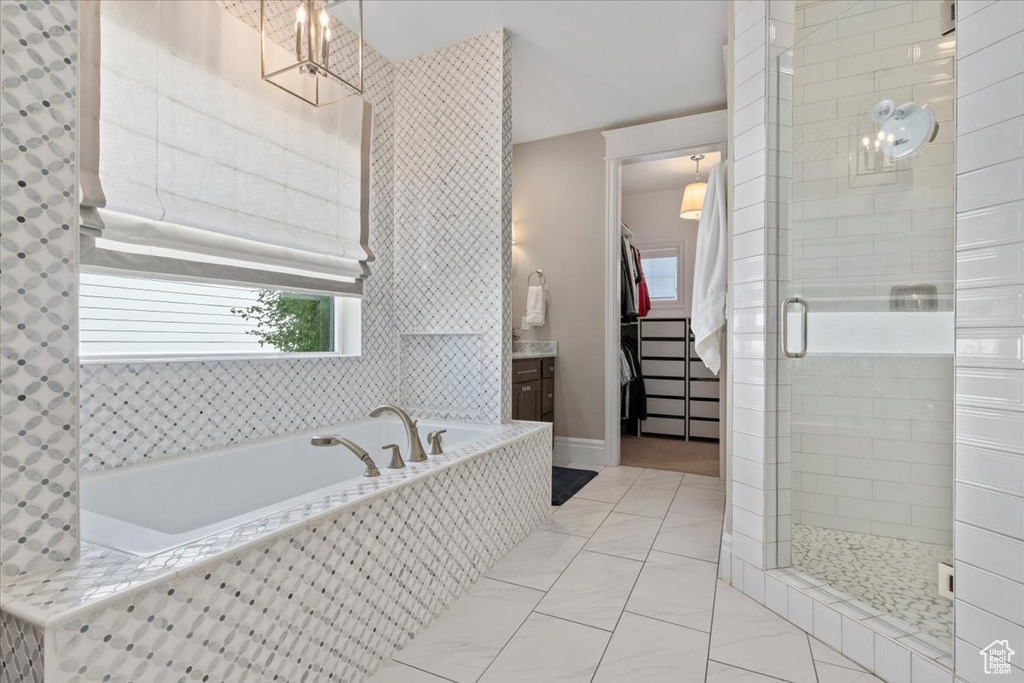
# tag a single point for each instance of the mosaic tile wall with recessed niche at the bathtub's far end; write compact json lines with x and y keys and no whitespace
{"x":453,"y":222}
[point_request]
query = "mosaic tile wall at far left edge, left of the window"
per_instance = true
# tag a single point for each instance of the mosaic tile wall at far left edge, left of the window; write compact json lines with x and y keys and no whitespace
{"x":38,"y":286}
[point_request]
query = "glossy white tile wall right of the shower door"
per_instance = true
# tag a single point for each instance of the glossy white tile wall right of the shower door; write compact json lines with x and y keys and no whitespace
{"x":990,"y":529}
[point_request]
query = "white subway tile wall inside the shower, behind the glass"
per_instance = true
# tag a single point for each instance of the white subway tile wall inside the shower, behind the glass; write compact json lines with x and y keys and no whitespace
{"x":871,"y":439}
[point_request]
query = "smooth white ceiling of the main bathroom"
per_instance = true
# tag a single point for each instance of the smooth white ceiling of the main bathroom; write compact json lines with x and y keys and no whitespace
{"x":576,"y":65}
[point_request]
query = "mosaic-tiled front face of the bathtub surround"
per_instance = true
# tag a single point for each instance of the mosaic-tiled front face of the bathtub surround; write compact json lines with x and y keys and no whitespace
{"x":330,"y":601}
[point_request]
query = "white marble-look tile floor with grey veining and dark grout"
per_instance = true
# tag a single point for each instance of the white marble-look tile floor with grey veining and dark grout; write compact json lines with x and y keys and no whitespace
{"x":619,"y":586}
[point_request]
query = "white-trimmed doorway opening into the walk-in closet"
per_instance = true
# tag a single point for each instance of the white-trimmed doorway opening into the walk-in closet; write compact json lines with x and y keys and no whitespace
{"x":664,"y":409}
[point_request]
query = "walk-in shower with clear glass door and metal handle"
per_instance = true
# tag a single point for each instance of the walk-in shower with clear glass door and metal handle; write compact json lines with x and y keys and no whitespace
{"x":862,"y":142}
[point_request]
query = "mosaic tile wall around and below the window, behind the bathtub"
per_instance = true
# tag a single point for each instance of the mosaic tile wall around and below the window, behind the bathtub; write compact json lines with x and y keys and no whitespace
{"x":140,"y":412}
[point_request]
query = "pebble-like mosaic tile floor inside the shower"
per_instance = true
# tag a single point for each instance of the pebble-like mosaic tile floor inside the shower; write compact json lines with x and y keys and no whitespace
{"x":895,"y":578}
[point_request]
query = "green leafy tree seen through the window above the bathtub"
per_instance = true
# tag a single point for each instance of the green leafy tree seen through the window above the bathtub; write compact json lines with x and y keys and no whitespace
{"x":291,"y":323}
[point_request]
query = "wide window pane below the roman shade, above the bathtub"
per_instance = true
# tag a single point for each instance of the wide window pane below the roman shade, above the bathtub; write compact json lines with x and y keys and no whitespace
{"x":138,"y":318}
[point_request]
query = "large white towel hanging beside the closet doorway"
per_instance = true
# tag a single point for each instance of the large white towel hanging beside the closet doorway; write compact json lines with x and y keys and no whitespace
{"x":708,"y":309}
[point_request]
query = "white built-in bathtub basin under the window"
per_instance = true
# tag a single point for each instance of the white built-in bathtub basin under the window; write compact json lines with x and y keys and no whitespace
{"x":149,"y":509}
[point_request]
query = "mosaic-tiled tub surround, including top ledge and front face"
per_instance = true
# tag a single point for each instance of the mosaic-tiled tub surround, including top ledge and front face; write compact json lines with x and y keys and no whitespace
{"x":335,"y":586}
